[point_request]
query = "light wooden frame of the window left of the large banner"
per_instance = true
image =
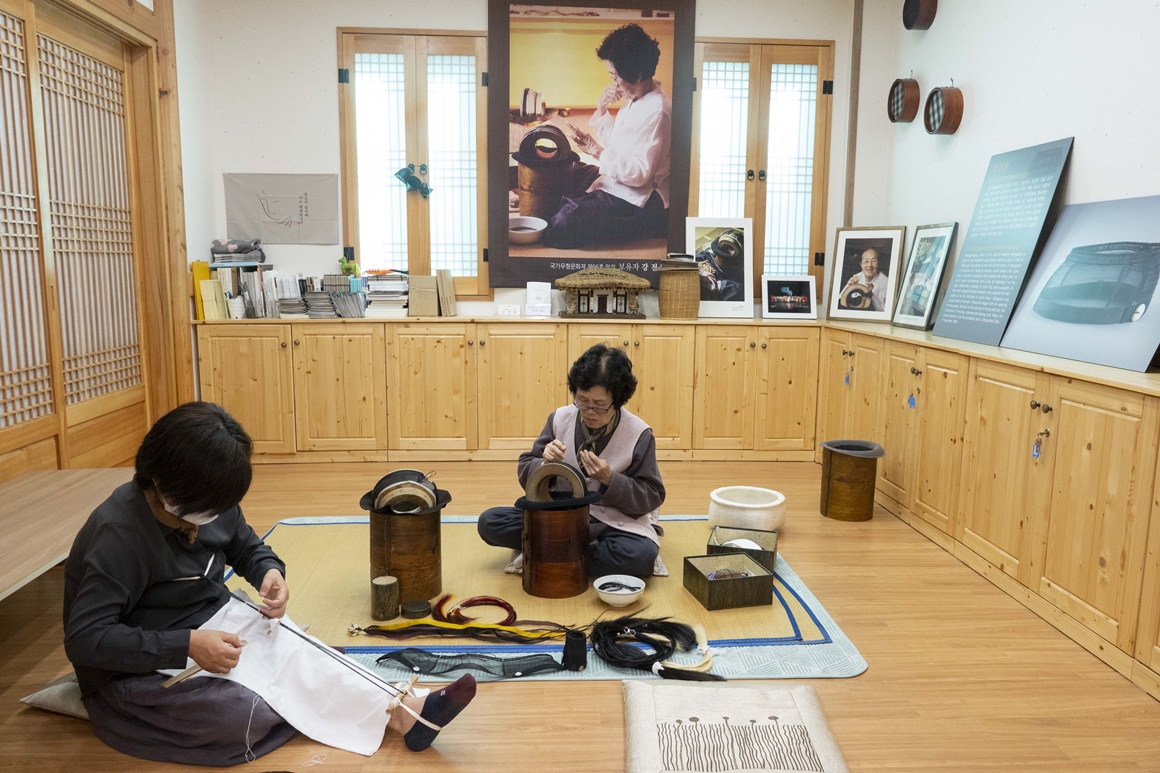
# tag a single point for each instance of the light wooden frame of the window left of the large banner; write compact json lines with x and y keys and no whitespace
{"x":416,"y":45}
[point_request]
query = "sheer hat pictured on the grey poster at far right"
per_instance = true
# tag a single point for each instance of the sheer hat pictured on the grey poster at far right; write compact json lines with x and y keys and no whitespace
{"x":1103,"y":285}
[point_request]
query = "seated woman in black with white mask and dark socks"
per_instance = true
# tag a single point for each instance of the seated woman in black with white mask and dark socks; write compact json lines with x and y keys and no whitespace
{"x":147,"y":572}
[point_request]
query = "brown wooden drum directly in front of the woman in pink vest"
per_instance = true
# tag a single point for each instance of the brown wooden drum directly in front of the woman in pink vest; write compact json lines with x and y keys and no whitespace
{"x":556,"y":553}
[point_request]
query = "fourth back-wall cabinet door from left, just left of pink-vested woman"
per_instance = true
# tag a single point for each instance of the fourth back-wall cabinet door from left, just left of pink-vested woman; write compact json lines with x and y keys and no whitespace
{"x":523,"y":375}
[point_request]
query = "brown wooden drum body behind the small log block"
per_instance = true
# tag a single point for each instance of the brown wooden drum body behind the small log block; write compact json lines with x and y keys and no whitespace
{"x":409,"y":548}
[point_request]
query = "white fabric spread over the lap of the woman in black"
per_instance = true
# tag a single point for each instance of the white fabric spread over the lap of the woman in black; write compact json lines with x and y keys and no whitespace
{"x":317,"y":695}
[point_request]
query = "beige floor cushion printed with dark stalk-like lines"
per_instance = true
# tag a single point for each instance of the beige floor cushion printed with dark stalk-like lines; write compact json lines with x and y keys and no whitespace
{"x":727,"y":729}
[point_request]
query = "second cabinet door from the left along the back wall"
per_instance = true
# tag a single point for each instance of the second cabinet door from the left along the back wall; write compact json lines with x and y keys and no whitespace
{"x":340,"y":387}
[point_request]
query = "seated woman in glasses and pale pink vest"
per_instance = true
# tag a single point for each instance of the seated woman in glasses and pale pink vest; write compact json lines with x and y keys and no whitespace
{"x":617,"y":451}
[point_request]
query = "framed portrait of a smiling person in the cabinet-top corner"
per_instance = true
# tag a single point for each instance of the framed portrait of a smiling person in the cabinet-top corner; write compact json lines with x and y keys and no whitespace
{"x":866,"y":273}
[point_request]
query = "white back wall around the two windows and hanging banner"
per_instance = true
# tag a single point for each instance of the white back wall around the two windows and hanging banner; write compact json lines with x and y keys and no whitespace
{"x":258,"y":89}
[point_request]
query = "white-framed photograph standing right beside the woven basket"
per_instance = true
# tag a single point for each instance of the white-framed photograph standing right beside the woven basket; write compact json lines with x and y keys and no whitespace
{"x":723,"y":248}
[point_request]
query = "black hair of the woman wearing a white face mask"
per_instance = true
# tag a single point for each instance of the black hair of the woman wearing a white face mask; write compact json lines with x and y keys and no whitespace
{"x":199,"y":458}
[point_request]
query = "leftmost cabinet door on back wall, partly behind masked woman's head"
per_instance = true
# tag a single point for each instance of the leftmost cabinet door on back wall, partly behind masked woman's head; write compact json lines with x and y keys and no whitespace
{"x":248,"y":370}
